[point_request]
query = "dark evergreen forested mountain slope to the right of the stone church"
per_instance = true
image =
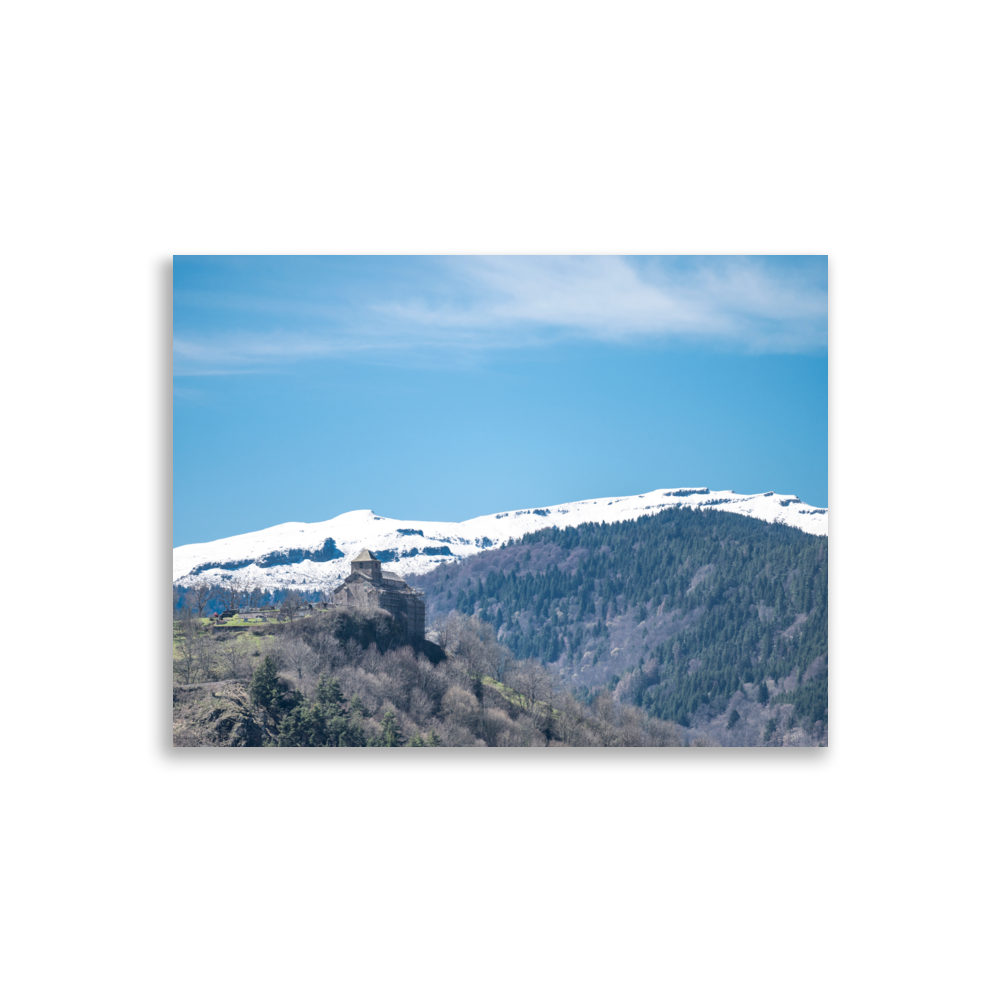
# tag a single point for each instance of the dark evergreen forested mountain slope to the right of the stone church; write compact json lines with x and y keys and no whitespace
{"x":679,"y":612}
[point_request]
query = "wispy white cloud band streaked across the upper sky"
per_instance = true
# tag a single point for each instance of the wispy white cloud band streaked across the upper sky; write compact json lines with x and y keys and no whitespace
{"x":486,"y":303}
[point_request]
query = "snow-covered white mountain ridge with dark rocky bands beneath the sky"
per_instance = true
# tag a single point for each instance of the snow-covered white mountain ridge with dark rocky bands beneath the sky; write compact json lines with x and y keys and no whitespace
{"x":312,"y":556}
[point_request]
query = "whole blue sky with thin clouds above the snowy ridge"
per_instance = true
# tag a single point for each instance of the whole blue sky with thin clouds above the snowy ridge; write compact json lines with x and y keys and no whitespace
{"x":444,"y":387}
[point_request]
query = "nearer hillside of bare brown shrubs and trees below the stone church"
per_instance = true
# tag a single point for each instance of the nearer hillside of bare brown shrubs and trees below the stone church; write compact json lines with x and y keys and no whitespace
{"x":349,"y":679}
